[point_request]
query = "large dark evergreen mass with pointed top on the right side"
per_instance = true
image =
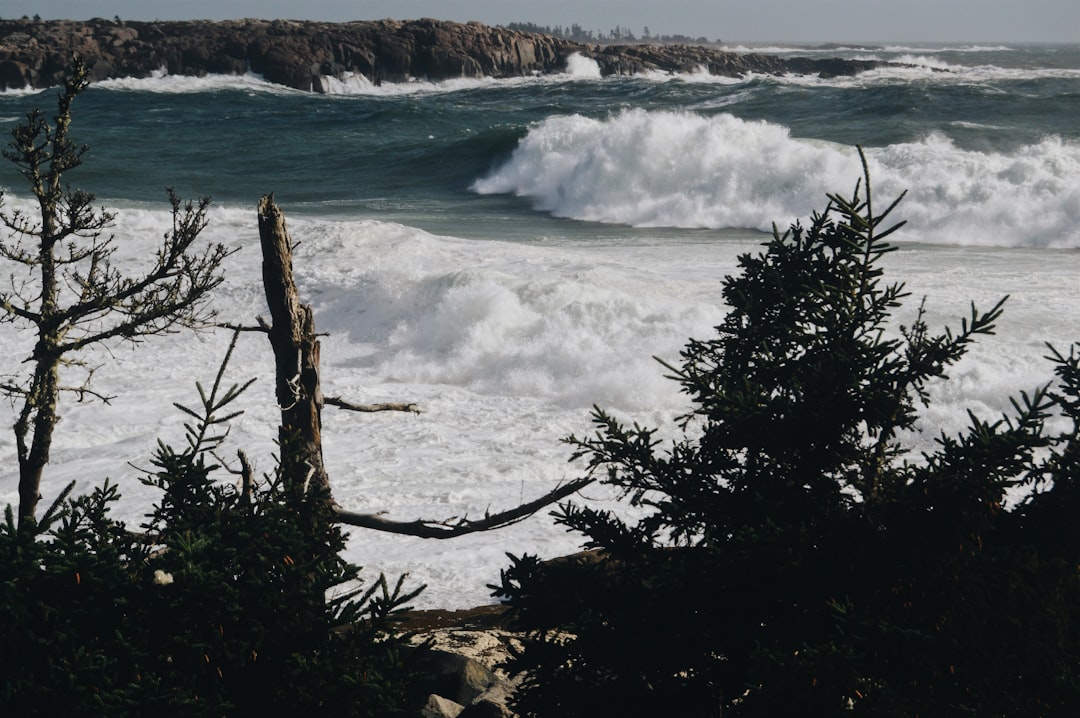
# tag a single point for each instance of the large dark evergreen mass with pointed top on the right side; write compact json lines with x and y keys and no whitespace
{"x":794,"y":558}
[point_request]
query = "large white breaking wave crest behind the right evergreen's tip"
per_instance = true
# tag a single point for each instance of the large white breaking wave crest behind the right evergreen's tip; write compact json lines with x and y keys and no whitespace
{"x":661,"y":169}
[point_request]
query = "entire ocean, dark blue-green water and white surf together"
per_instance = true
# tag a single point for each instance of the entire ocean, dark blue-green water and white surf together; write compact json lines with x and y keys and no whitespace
{"x":508,"y":254}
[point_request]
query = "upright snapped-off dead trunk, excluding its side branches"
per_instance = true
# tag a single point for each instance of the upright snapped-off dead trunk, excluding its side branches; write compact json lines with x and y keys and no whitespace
{"x":296,"y":360}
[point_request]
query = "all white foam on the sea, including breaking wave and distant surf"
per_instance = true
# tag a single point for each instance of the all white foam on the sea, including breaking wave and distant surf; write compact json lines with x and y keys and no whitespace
{"x":506,"y":346}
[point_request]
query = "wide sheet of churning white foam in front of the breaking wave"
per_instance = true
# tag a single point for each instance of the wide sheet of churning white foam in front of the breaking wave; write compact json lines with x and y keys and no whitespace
{"x":506,"y":346}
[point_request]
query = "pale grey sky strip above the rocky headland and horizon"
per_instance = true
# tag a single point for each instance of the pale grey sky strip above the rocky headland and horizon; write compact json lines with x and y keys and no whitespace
{"x":731,"y":21}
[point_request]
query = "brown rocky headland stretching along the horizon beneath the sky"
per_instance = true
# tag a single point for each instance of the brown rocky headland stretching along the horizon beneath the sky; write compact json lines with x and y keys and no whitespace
{"x":304,"y":55}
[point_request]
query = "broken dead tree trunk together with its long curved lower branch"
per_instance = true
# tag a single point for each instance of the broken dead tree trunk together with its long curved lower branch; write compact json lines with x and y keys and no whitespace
{"x":301,"y":399}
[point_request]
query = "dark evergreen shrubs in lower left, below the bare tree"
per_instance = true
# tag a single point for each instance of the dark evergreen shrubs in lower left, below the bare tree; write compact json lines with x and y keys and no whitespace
{"x":234,"y":602}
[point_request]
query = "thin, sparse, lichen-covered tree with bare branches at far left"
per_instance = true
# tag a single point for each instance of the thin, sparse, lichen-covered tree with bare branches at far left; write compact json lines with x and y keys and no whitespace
{"x":64,"y":286}
